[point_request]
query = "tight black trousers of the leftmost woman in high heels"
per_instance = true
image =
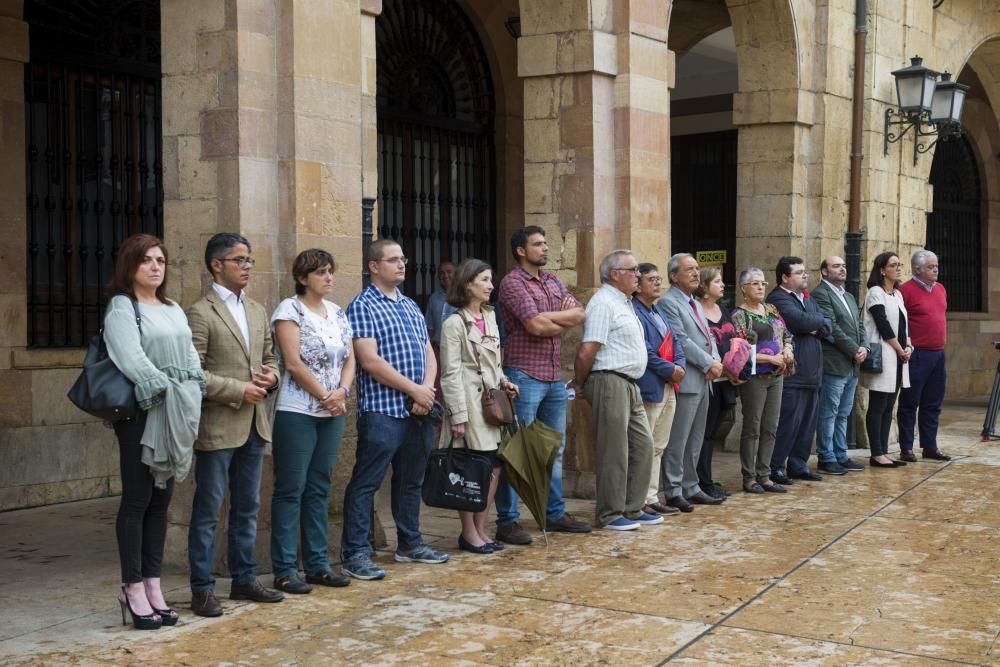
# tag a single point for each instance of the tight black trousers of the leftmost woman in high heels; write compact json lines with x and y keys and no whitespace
{"x":142,"y":515}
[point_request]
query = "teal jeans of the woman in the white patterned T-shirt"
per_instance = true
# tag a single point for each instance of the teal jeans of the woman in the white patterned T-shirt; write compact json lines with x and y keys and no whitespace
{"x":305,"y":452}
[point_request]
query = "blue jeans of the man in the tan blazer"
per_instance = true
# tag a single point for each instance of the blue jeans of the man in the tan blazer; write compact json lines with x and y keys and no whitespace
{"x":239,"y":468}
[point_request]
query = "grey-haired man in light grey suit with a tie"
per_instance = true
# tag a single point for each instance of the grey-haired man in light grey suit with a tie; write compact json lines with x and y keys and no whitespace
{"x":687,"y":320}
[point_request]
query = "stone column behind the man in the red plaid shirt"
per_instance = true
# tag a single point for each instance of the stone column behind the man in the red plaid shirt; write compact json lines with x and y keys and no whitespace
{"x":596,"y":154}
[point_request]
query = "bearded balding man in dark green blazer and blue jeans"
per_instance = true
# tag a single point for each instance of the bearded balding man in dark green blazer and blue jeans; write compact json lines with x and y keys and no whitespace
{"x":843,"y":352}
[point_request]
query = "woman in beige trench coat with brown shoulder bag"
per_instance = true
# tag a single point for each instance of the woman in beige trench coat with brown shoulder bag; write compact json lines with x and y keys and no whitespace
{"x":470,"y":362}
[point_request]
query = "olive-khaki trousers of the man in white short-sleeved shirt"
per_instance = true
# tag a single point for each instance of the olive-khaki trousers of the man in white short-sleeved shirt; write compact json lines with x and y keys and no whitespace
{"x":623,"y":444}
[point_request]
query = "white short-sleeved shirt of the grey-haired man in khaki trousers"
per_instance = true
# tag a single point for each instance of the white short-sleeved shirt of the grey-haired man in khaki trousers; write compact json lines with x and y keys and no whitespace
{"x":612,"y":322}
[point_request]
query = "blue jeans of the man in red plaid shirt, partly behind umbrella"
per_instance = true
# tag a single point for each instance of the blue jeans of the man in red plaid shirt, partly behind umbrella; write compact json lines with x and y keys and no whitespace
{"x":545,"y":401}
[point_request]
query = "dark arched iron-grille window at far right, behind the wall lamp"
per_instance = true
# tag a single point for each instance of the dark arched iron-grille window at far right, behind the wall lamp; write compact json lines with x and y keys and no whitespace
{"x":954,"y":227}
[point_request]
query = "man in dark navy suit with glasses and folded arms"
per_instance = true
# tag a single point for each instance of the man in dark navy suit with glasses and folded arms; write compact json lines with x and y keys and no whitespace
{"x":800,"y":396}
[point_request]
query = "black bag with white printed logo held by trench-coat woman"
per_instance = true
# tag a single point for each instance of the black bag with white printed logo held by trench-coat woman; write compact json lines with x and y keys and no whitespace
{"x":457,"y":479}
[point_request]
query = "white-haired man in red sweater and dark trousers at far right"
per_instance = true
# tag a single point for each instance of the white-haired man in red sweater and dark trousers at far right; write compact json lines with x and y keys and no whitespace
{"x":926,"y":305}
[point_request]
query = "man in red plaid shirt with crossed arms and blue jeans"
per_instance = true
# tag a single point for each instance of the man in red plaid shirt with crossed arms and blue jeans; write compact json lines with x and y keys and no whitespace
{"x":536,"y":308}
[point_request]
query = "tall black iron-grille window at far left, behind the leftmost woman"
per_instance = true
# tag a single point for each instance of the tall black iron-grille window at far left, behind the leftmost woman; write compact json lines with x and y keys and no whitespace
{"x":94,"y":156}
